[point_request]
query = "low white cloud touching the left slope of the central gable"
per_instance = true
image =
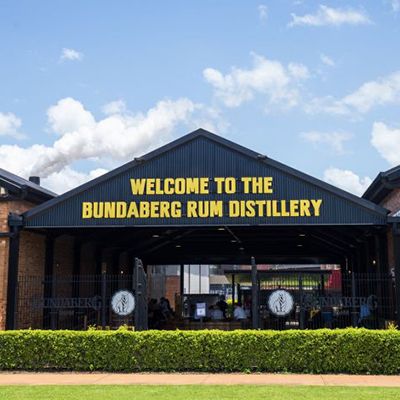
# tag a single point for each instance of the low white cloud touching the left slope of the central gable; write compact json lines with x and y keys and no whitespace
{"x":68,"y":178}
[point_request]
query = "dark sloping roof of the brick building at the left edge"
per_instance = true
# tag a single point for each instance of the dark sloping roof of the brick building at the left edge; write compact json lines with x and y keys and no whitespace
{"x":23,"y":187}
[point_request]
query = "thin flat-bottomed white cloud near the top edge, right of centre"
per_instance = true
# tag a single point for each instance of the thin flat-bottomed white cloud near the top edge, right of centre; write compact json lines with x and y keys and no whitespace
{"x":331,"y":16}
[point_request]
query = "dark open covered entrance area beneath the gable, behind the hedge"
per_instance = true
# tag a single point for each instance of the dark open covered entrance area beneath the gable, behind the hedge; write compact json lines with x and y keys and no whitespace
{"x":301,"y":260}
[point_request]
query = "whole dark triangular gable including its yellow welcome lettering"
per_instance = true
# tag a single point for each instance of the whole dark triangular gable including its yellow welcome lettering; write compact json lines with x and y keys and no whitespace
{"x":204,"y":181}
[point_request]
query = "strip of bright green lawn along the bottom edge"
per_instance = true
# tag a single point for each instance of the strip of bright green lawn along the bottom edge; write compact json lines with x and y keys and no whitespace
{"x":196,"y":392}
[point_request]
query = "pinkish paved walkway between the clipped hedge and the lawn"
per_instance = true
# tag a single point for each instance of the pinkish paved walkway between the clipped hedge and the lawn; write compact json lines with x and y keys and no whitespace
{"x":64,"y":378}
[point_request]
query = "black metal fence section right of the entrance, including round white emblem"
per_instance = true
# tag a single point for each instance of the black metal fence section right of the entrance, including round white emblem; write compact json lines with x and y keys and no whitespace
{"x":329,"y":299}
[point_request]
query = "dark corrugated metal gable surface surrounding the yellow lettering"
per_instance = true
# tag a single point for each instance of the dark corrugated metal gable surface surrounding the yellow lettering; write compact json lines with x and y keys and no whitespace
{"x":202,"y":153}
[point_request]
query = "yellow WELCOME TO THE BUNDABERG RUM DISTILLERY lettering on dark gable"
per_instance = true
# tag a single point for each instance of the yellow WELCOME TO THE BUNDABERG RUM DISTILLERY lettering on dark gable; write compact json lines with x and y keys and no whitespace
{"x":142,"y":206}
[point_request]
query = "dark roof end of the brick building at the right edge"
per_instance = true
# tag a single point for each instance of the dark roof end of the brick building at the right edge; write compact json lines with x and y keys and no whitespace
{"x":383,"y":185}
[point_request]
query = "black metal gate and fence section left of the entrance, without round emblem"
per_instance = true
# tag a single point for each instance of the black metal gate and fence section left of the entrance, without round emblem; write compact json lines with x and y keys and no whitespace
{"x":81,"y":301}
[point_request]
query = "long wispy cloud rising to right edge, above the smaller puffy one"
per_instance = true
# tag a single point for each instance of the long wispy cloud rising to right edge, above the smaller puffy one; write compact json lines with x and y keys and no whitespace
{"x":384,"y":90}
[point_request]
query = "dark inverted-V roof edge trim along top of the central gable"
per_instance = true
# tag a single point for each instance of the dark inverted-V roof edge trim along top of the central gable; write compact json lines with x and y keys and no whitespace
{"x":201,"y":133}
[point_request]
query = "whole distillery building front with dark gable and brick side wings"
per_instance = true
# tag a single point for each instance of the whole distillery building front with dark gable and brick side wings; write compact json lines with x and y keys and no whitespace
{"x":198,"y":201}
